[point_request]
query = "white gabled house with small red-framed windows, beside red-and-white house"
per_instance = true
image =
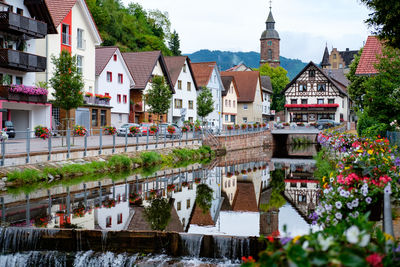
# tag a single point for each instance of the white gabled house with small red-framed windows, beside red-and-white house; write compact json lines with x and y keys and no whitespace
{"x":114,"y":79}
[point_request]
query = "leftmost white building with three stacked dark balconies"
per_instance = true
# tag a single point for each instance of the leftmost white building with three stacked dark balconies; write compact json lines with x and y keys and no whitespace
{"x":21,"y":101}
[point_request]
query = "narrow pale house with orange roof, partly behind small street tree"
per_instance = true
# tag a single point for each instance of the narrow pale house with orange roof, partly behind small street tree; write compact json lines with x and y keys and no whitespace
{"x":208,"y":75}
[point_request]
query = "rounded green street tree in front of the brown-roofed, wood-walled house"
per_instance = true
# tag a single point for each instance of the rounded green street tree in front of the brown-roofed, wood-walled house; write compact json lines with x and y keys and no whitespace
{"x":158,"y":97}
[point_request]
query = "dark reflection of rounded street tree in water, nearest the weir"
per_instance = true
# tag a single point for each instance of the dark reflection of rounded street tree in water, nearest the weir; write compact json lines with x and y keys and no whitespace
{"x":158,"y":214}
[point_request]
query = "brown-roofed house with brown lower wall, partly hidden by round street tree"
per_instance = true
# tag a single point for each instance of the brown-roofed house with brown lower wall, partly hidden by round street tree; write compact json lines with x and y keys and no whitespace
{"x":143,"y":66}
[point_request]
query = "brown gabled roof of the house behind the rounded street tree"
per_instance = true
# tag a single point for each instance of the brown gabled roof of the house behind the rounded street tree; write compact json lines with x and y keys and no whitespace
{"x":141,"y":66}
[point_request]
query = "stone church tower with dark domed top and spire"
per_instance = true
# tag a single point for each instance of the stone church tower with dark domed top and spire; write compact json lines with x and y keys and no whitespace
{"x":270,"y":43}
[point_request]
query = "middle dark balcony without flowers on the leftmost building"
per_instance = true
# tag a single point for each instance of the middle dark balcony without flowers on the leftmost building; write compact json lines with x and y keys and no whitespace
{"x":17,"y":60}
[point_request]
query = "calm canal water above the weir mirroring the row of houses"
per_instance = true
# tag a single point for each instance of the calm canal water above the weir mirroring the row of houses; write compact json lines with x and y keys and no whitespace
{"x":240,"y":194}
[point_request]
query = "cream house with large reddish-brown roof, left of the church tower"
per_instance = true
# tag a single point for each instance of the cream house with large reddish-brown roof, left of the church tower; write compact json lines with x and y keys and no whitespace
{"x":250,"y":102}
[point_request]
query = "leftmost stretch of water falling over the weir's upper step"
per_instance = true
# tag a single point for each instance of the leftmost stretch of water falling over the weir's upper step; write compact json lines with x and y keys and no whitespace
{"x":22,"y":239}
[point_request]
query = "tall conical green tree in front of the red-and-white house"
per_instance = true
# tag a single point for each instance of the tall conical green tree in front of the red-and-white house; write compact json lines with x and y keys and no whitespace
{"x":67,"y":82}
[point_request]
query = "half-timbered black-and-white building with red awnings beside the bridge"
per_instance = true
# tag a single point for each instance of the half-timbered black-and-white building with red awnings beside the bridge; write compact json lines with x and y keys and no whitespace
{"x":313,"y":95}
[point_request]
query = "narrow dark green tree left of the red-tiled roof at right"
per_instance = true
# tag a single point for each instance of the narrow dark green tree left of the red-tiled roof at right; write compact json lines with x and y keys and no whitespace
{"x":356,"y":87}
